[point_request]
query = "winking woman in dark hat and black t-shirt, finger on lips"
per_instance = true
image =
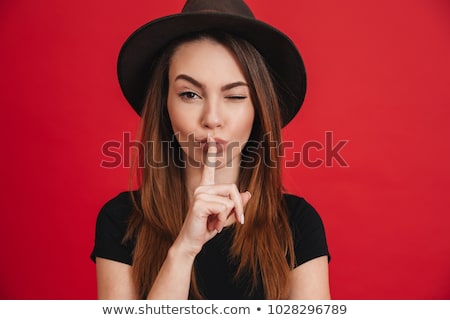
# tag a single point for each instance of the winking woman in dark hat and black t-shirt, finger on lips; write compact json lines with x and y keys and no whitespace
{"x":213,"y":86}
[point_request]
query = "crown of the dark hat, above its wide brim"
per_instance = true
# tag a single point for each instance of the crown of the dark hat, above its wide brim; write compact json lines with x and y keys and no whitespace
{"x":234,"y":7}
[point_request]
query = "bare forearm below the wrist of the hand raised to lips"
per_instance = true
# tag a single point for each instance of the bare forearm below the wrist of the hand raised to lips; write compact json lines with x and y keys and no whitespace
{"x":174,"y":278}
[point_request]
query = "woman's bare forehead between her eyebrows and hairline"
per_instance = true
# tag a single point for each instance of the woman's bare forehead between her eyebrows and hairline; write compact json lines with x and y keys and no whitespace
{"x":205,"y":59}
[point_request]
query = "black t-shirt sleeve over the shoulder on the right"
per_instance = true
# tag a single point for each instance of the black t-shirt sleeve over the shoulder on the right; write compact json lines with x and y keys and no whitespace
{"x":307,"y":229}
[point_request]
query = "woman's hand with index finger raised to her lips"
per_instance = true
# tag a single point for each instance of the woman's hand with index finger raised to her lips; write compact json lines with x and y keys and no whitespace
{"x":211,"y":205}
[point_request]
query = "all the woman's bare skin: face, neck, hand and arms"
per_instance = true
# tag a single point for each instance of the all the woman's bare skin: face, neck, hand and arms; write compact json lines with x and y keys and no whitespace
{"x":219,"y":110}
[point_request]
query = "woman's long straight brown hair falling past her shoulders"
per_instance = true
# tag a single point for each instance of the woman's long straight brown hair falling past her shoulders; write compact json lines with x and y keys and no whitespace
{"x":263,"y":246}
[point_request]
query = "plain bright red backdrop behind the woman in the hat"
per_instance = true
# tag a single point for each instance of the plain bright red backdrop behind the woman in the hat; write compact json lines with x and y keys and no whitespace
{"x":378,"y":72}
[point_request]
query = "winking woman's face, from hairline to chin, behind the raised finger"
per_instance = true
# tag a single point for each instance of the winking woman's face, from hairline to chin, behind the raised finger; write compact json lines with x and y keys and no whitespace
{"x":209,"y":99}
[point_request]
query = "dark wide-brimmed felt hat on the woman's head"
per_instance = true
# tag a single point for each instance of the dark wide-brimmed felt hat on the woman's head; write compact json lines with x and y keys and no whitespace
{"x":231,"y":16}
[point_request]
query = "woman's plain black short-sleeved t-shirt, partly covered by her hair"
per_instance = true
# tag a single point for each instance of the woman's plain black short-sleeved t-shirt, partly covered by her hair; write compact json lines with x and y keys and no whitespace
{"x":214,"y":269}
